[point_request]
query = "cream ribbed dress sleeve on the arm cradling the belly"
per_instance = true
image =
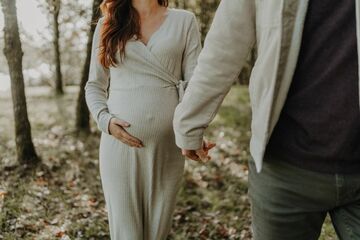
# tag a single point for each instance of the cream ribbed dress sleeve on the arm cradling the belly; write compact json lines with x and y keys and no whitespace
{"x":97,"y":85}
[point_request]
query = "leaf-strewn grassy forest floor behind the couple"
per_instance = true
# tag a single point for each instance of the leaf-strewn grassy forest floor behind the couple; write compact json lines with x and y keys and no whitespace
{"x":62,"y":198}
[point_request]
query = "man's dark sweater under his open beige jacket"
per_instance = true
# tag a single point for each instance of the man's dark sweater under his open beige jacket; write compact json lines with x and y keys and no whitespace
{"x":319,"y":127}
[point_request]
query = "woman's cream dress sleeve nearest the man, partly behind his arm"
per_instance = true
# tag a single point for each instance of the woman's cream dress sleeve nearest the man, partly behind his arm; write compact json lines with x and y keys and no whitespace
{"x":192,"y":49}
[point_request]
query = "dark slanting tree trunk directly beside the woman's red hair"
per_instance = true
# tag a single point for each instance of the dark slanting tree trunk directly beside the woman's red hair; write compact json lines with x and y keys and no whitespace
{"x":82,"y":122}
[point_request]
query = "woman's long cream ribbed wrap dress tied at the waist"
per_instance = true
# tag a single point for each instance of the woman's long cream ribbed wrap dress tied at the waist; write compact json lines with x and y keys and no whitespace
{"x":140,"y":185}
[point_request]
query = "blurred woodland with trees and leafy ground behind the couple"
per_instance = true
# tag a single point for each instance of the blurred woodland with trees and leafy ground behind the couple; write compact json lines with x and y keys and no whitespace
{"x":49,"y":180}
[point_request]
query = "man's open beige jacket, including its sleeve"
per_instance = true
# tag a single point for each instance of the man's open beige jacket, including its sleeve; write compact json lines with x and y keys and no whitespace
{"x":275,"y":27}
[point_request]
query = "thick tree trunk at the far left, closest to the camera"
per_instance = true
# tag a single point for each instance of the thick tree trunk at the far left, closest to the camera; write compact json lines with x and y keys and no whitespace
{"x":25,"y":149}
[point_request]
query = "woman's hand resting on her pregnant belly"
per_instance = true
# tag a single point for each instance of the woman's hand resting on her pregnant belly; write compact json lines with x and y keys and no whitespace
{"x":117,"y":129}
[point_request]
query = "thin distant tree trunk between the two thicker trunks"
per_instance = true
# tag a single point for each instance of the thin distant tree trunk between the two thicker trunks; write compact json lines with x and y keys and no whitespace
{"x":58,"y":76}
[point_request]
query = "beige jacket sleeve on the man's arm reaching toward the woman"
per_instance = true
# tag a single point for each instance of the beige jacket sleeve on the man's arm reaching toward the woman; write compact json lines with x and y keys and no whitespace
{"x":227,"y":45}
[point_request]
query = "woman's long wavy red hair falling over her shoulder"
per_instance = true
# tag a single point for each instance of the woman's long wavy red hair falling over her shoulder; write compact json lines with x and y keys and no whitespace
{"x":121,"y":23}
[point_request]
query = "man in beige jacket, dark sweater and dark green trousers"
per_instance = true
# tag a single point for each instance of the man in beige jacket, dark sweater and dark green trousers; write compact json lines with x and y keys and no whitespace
{"x":304,"y":92}
